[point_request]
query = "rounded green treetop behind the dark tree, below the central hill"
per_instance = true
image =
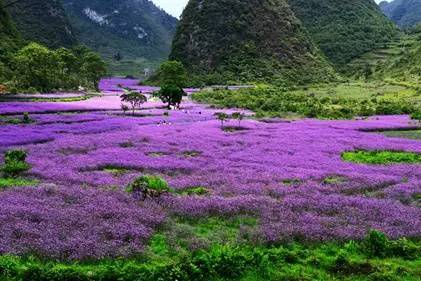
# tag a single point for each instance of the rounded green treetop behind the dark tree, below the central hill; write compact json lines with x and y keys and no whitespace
{"x":172,"y":73}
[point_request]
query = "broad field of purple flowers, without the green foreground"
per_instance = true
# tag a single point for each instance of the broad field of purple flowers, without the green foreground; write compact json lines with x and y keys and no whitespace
{"x":86,"y":152}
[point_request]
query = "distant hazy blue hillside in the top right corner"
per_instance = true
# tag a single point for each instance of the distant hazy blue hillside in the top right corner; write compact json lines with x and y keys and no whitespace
{"x":405,"y":13}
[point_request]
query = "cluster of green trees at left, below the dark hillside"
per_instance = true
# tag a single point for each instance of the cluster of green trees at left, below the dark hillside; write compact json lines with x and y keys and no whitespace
{"x":35,"y":68}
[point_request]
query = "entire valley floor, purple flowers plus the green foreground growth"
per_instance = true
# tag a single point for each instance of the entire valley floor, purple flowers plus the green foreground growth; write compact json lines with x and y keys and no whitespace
{"x":244,"y":192}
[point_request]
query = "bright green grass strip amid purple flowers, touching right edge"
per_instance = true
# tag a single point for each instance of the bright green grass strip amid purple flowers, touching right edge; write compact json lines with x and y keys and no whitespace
{"x":382,"y":157}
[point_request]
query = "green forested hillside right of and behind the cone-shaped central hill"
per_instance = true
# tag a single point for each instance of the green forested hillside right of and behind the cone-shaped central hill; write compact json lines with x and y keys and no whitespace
{"x":344,"y":29}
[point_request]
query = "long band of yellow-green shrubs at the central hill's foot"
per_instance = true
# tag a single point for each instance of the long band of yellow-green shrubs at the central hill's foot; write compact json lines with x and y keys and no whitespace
{"x":278,"y":102}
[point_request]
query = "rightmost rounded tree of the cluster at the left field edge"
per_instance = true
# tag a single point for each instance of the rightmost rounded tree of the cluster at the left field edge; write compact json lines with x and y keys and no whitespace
{"x":94,"y":68}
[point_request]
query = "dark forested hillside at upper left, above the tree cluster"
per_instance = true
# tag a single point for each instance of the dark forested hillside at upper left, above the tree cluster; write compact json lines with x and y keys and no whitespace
{"x":43,"y":21}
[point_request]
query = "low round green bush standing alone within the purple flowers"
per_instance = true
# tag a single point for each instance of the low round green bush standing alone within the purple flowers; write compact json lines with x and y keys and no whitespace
{"x":148,"y":186}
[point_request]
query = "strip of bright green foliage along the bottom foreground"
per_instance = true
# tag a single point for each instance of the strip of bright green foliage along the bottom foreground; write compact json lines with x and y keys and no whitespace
{"x":229,"y":262}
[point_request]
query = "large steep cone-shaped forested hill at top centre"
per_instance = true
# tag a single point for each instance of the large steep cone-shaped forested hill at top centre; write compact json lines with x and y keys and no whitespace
{"x":225,"y":40}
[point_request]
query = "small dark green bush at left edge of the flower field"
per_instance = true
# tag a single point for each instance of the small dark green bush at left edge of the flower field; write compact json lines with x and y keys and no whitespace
{"x":14,"y":163}
